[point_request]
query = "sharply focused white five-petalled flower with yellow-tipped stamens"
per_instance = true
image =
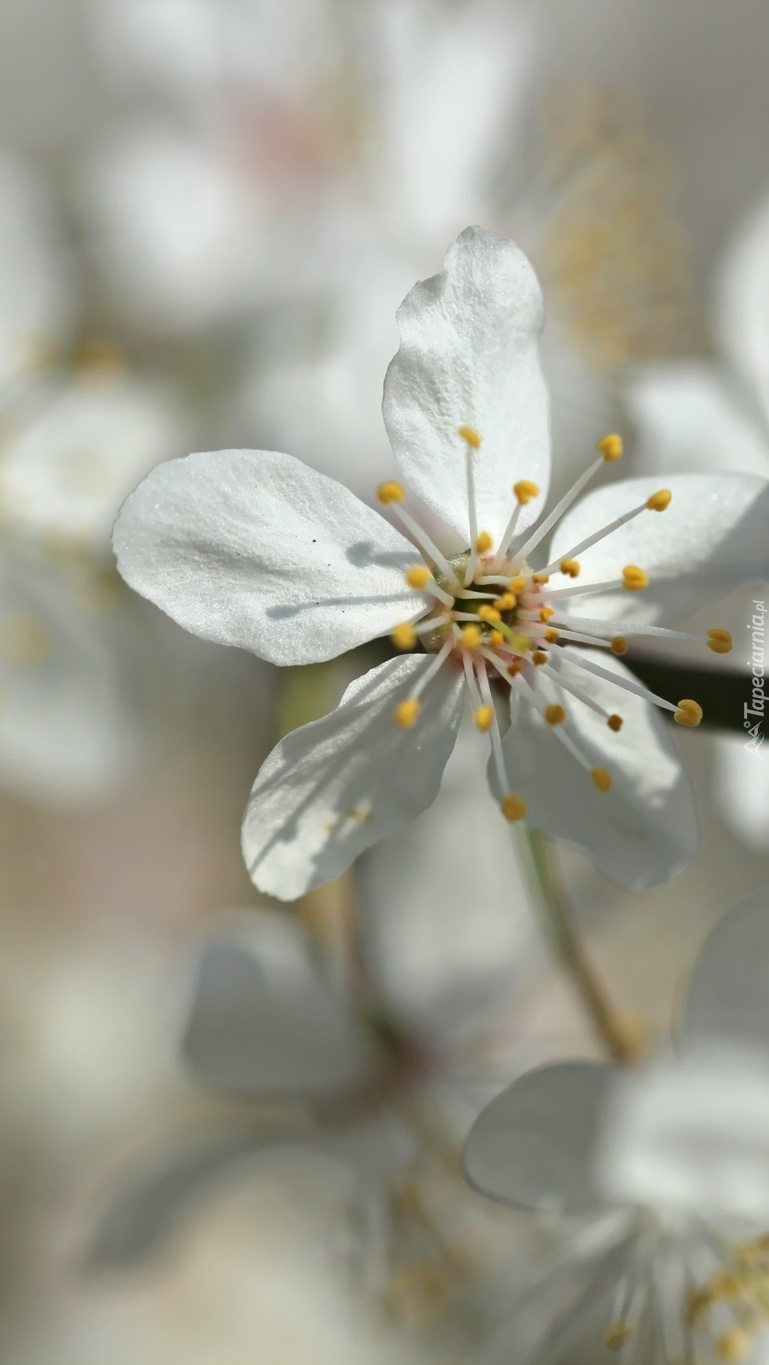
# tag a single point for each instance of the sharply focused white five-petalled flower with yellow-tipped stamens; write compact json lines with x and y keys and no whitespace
{"x":255,"y":549}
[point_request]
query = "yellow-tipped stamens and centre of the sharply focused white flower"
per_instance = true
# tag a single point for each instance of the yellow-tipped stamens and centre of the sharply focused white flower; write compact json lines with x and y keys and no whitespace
{"x":506,"y":624}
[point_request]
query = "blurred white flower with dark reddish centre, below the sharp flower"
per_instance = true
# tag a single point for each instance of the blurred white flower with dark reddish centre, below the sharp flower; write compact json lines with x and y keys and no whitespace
{"x":330,"y":1050}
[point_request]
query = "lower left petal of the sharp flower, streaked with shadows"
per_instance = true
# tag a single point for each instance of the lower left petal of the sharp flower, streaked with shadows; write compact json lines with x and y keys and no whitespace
{"x":339,"y":786}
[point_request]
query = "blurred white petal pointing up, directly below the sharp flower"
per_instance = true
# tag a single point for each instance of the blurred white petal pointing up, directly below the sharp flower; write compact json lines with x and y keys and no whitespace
{"x":445,"y":914}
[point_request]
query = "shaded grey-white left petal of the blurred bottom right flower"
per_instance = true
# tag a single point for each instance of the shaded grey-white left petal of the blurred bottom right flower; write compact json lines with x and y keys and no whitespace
{"x":533,"y":1146}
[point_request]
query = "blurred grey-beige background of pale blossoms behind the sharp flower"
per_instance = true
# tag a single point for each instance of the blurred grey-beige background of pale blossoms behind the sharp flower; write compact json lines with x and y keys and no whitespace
{"x":210,"y":211}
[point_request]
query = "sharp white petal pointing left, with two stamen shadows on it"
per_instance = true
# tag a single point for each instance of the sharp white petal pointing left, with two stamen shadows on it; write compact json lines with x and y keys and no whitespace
{"x":256,"y":549}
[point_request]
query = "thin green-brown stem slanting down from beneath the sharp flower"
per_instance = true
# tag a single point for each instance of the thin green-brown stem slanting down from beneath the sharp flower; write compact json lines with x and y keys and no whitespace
{"x":568,"y":944}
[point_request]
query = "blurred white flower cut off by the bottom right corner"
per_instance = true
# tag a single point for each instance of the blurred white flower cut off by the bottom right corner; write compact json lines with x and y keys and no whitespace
{"x":669,"y":1170}
